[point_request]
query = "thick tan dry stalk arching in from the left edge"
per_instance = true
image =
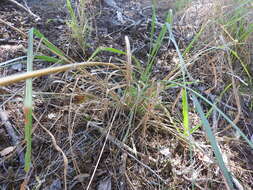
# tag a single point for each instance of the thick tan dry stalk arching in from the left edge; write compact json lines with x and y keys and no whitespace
{"x":42,"y":72}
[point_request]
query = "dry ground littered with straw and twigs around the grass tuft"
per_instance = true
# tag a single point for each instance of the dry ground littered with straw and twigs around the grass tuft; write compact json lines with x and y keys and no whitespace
{"x":156,"y":158}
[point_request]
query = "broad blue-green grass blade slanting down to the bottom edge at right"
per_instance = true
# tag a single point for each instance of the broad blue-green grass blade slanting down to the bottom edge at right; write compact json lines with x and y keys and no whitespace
{"x":213,"y":142}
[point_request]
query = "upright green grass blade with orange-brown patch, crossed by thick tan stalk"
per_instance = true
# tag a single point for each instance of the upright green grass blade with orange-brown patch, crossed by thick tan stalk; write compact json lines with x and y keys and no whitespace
{"x":28,"y":103}
